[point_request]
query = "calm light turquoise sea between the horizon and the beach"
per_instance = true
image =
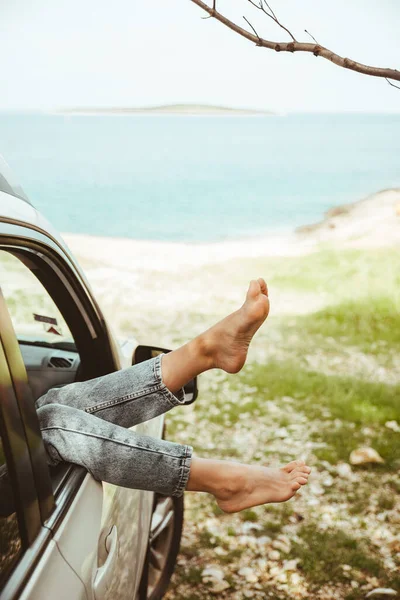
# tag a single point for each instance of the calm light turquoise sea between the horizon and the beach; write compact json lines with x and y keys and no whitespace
{"x":197,"y":178}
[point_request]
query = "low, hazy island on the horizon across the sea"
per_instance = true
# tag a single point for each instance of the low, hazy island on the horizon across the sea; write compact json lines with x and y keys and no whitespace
{"x":168,"y":109}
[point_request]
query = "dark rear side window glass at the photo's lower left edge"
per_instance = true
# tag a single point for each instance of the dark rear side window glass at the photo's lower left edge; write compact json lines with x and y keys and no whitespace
{"x":10,"y":540}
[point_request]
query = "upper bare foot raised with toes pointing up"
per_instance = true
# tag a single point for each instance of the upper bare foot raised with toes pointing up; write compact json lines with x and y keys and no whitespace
{"x":228,"y":341}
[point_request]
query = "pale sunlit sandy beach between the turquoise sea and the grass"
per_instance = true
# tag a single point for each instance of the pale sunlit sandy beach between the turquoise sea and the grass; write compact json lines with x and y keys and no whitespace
{"x":177,"y":281}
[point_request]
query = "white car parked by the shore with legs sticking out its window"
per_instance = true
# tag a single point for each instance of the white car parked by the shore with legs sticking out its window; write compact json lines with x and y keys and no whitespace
{"x":64,"y":535}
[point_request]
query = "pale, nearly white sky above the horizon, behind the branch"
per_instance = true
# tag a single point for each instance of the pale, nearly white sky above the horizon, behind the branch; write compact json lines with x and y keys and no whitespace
{"x":60,"y":54}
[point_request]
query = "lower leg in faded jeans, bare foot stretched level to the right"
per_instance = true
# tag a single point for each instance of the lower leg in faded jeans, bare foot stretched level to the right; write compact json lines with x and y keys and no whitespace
{"x":123,"y":457}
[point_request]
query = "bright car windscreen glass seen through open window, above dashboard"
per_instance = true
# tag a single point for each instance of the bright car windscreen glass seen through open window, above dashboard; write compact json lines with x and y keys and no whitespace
{"x":35,"y":316}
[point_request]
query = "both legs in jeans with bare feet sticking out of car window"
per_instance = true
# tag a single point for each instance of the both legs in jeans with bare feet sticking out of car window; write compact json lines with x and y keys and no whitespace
{"x":72,"y":431}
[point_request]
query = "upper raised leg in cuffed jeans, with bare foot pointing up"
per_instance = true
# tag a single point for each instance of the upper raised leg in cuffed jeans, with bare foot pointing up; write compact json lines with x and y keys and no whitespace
{"x":151,"y":388}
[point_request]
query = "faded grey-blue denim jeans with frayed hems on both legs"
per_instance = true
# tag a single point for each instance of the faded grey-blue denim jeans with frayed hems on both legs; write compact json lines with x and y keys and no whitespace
{"x":87,"y":423}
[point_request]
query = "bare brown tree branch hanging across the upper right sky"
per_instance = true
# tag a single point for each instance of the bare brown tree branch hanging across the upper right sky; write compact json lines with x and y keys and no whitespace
{"x":296,"y":46}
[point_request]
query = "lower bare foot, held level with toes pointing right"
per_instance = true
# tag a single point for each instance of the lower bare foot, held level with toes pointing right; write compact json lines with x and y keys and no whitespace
{"x":253,"y":485}
